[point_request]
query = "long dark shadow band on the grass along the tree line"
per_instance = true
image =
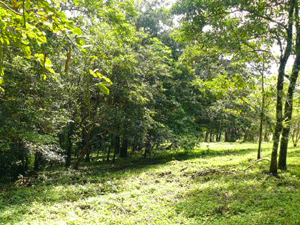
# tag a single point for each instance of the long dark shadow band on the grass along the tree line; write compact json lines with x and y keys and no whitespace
{"x":58,"y":185}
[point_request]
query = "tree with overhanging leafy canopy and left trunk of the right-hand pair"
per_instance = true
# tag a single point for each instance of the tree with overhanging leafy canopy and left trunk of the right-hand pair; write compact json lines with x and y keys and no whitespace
{"x":239,"y":28}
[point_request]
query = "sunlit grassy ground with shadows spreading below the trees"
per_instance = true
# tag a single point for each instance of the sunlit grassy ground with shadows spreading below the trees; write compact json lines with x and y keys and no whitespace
{"x":218,"y":183}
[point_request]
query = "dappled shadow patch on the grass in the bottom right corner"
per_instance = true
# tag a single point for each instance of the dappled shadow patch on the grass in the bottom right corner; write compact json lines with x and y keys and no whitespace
{"x":239,"y":198}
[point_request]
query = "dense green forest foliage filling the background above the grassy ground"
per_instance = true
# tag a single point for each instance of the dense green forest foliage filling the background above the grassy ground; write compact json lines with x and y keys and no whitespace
{"x":102,"y":80}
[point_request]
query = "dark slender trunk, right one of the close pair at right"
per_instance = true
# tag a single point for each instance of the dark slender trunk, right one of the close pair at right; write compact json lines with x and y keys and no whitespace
{"x":289,"y":101}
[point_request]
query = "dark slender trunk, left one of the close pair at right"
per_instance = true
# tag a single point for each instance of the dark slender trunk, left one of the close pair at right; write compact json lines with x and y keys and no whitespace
{"x":280,"y":82}
